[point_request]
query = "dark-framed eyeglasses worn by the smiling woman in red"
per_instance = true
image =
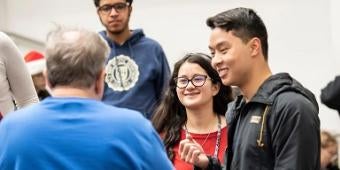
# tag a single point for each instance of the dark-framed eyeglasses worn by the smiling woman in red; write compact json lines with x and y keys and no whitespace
{"x":197,"y":80}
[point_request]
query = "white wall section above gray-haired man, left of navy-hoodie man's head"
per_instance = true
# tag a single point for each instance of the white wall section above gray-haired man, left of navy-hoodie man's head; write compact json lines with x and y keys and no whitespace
{"x":33,"y":18}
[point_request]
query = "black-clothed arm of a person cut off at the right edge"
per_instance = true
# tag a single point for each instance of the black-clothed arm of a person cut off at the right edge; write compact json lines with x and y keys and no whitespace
{"x":330,"y":95}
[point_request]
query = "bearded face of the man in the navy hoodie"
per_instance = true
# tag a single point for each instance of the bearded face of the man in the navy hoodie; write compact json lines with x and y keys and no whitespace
{"x":115,"y":21}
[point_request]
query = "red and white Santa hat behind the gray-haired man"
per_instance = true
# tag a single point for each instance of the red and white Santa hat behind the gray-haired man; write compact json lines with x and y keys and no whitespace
{"x":35,"y":62}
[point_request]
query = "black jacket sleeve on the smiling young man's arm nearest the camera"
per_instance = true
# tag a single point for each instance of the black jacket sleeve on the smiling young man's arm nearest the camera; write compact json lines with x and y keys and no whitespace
{"x":295,"y":134}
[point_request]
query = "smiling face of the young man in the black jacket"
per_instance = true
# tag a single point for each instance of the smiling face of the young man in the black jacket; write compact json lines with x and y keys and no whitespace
{"x":231,"y":57}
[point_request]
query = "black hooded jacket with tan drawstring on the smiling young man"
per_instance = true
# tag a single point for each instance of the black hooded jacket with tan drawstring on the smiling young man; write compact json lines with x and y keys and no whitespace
{"x":278,"y":129}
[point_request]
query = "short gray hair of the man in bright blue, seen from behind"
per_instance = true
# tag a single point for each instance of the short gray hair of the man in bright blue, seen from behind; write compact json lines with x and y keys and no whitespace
{"x":74,"y":57}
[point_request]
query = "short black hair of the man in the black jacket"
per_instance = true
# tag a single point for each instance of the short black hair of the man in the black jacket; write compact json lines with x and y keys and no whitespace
{"x":244,"y":23}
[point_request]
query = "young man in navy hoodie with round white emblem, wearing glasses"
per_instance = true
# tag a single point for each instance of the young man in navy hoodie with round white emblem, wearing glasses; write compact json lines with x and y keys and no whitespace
{"x":137,"y":69}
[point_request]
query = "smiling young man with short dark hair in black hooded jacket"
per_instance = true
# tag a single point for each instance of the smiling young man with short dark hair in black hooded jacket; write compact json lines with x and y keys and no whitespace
{"x":274,"y":124}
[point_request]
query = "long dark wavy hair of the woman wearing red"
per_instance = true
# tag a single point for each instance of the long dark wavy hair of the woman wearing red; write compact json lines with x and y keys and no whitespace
{"x":170,"y":115}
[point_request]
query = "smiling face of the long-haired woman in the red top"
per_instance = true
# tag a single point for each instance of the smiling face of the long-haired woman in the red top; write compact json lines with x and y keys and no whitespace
{"x":196,"y":97}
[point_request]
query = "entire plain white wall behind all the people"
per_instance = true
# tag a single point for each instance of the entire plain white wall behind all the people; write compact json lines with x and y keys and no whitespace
{"x":303,"y":35}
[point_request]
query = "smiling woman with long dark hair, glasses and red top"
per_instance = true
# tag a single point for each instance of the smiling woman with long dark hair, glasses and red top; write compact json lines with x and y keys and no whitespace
{"x":193,"y":108}
